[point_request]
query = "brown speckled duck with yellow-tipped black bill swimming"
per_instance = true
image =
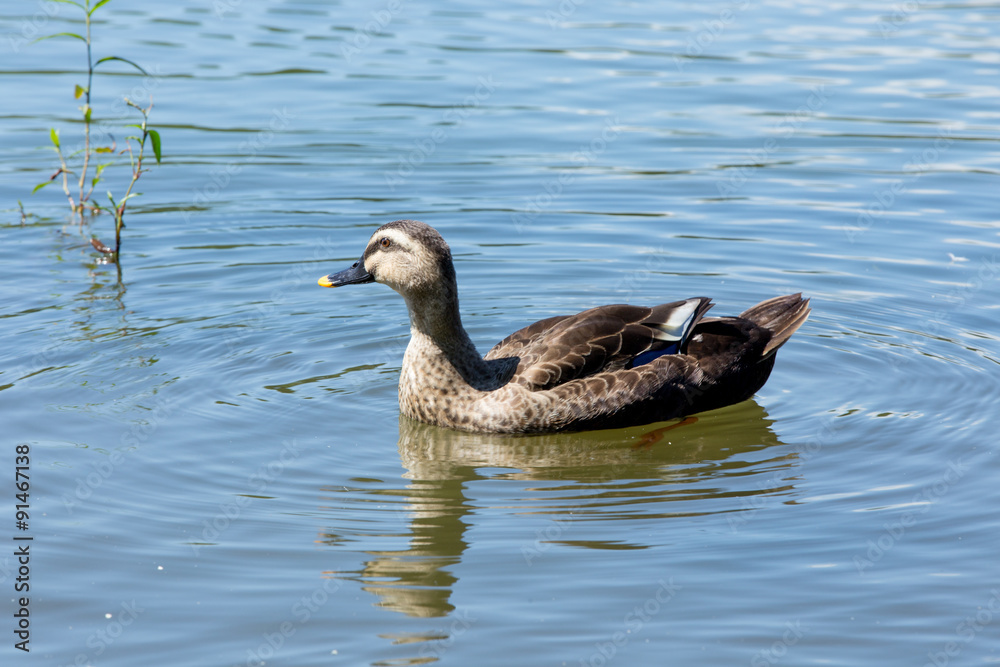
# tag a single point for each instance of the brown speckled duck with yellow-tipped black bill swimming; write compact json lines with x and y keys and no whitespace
{"x":606,"y":367}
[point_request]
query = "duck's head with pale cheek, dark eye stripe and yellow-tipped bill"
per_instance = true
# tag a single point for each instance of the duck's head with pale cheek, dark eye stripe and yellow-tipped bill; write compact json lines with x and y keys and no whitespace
{"x":408,"y":256}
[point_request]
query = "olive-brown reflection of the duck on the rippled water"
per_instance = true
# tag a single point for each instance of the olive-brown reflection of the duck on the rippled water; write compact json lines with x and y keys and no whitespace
{"x":700,"y":466}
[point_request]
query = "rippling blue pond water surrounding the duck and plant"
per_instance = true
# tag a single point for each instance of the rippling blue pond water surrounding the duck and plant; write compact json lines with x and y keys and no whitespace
{"x":219,"y":475}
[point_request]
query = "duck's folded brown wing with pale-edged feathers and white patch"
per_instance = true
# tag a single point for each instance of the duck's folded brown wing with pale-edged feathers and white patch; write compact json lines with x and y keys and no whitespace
{"x":607,"y":338}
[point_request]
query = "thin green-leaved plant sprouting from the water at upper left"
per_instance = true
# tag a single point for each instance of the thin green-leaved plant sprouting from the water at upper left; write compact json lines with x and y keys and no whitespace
{"x":89,"y":155}
